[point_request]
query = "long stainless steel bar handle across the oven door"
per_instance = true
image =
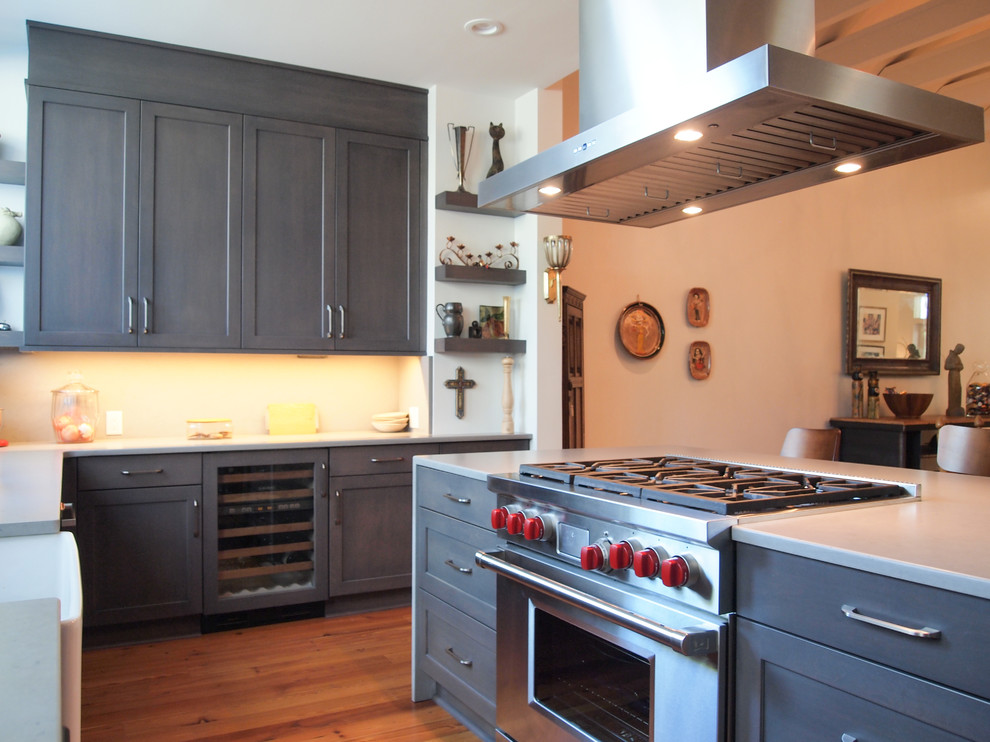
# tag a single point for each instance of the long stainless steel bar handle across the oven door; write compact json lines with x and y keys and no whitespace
{"x":691,"y":641}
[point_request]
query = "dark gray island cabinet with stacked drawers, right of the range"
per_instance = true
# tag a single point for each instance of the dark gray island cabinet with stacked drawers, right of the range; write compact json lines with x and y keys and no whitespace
{"x":807,"y":670}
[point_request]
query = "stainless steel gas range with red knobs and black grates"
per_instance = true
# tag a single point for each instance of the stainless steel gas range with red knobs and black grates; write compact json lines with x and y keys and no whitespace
{"x":615,"y":590}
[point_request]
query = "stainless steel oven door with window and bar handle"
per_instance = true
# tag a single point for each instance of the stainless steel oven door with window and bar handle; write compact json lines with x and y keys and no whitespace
{"x":582,"y":659}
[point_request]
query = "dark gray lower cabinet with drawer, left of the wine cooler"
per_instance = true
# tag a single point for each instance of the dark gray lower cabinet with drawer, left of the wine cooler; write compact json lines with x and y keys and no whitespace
{"x":139,"y":531}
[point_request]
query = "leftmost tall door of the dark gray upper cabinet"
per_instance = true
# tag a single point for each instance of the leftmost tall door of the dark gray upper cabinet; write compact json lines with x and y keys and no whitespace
{"x":82,"y":217}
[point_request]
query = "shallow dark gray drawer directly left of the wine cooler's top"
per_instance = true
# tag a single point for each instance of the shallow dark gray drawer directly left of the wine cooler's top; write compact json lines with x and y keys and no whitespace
{"x":120,"y":472}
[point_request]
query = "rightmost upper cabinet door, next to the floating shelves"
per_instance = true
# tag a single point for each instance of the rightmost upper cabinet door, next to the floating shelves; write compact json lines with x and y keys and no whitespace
{"x":380,"y":275}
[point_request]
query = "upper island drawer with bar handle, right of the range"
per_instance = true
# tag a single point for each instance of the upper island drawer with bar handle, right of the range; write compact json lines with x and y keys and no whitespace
{"x":806,"y":597}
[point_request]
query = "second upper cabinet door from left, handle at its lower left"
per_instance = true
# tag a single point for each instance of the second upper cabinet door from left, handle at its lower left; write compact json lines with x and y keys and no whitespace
{"x":190,"y":237}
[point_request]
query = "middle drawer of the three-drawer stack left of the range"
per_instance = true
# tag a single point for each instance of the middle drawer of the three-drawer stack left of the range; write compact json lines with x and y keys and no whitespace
{"x":445,"y":564}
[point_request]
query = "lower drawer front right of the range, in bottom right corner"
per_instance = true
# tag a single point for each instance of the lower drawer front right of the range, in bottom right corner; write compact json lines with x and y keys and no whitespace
{"x":841,"y":696}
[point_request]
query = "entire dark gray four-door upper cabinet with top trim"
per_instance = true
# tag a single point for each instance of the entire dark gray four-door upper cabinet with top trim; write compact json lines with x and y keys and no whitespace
{"x":219,"y":203}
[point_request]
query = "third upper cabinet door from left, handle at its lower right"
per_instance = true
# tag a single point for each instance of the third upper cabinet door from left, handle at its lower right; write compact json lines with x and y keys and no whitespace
{"x":289,"y":301}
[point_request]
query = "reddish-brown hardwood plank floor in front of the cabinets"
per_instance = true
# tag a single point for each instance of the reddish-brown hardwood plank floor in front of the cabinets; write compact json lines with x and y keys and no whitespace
{"x":343,"y":678}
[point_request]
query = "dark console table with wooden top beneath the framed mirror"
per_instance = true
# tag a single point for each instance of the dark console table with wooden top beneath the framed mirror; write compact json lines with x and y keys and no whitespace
{"x":892,"y":441}
